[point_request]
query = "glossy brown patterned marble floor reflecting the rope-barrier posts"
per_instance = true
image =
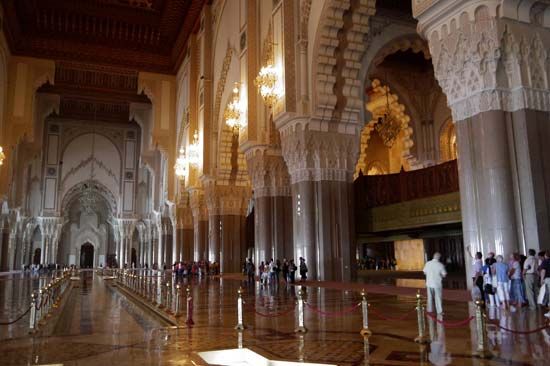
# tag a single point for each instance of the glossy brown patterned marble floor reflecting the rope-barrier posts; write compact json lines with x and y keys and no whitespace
{"x":98,"y":325}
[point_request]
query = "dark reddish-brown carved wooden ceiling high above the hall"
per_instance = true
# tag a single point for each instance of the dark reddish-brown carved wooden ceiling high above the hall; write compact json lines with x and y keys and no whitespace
{"x":148,"y":35}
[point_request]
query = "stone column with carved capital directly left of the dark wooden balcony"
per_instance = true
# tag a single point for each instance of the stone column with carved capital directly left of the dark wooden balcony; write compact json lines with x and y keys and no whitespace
{"x":321,"y":165}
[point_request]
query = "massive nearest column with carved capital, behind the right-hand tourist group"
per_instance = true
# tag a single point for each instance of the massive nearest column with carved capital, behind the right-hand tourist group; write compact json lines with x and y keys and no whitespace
{"x":492,"y":66}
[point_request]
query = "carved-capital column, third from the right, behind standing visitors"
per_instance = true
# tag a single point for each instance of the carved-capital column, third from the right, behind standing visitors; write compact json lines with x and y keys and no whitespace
{"x":272,"y":204}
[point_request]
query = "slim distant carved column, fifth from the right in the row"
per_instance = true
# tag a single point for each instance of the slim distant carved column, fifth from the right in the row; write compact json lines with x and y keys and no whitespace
{"x":200,"y":224}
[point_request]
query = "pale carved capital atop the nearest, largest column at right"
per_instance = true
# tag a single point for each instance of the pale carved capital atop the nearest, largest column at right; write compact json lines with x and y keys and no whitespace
{"x":488,"y":54}
